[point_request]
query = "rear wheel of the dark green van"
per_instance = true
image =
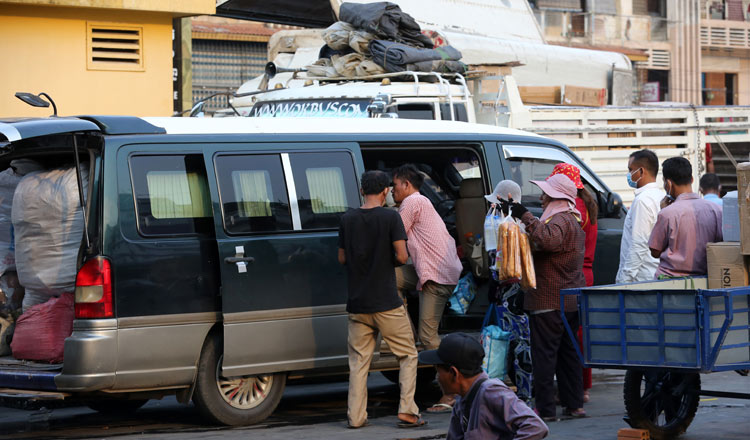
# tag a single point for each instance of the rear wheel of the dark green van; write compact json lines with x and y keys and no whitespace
{"x":237,"y":400}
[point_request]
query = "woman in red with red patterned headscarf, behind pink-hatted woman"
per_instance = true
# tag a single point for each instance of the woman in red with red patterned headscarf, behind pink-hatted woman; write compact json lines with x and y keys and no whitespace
{"x":589,"y":209}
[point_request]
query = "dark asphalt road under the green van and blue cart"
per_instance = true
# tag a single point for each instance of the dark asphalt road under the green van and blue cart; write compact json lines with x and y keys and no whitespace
{"x":318,"y":411}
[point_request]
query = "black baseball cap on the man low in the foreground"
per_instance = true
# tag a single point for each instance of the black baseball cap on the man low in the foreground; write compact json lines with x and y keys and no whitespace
{"x":458,"y":350}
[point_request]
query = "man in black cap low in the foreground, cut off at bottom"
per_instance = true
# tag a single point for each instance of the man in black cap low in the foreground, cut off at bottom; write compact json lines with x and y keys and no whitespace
{"x":485,"y":408}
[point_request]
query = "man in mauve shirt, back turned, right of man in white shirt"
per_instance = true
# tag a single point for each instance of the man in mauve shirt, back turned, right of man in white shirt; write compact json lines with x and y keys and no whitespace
{"x":685,"y":224}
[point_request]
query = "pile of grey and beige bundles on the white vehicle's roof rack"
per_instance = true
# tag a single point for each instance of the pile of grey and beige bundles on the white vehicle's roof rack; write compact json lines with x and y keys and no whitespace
{"x":376,"y":38}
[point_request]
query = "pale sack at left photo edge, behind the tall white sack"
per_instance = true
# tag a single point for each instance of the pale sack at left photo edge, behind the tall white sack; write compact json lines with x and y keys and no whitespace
{"x":8,"y":181}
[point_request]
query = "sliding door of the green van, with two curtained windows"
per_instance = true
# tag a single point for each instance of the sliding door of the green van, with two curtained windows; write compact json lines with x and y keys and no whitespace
{"x":283,"y":291}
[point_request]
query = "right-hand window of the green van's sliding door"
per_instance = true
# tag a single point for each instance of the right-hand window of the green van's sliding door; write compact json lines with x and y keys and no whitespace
{"x":326,"y":187}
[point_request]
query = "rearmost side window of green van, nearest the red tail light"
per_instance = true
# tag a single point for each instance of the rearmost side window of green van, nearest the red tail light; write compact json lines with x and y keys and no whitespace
{"x":171,"y":194}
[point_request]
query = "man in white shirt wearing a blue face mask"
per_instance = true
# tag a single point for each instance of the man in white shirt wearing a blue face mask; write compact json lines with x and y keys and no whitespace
{"x":636,"y":262}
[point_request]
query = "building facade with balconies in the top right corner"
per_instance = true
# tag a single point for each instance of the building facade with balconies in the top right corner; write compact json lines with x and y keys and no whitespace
{"x":695,"y":51}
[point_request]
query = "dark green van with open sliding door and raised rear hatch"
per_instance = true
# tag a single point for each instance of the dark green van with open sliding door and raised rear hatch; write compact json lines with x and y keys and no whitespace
{"x":208,"y":268}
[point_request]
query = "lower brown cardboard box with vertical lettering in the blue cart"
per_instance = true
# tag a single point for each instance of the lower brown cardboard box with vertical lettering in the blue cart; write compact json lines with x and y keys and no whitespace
{"x":727,"y":267}
